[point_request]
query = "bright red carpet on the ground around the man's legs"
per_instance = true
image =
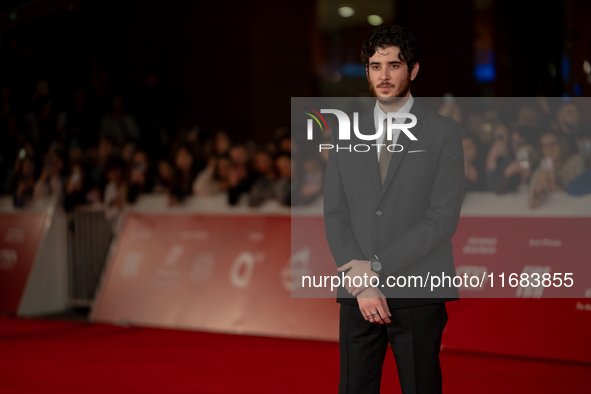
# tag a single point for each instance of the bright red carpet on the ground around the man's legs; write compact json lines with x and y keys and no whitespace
{"x":48,"y":356}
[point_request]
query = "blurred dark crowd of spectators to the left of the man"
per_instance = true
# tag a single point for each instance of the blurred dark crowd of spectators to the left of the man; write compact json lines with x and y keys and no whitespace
{"x":93,"y":142}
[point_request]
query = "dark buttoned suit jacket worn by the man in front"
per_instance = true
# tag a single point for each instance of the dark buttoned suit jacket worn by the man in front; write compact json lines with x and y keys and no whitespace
{"x":408,"y":222}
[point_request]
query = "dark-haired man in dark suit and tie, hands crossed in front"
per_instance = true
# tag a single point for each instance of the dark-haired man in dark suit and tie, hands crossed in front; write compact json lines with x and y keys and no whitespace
{"x":391,"y":214}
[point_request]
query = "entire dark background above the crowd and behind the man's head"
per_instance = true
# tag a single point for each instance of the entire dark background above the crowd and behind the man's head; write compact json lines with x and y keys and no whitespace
{"x":235,"y":65}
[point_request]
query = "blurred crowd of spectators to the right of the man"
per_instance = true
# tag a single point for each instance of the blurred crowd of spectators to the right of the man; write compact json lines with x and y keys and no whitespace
{"x":545,"y":146}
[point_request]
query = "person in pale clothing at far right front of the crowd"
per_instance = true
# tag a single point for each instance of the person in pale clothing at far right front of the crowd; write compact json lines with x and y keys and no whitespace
{"x":558,"y":167}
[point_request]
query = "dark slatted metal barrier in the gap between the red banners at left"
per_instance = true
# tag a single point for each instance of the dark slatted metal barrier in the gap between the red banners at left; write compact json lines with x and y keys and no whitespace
{"x":89,"y":238}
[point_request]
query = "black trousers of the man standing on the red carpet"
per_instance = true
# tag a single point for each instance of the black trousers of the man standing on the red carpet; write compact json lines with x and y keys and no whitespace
{"x":415,"y":338}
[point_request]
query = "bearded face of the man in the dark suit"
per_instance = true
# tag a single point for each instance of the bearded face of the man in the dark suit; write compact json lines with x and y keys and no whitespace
{"x":388,"y":76}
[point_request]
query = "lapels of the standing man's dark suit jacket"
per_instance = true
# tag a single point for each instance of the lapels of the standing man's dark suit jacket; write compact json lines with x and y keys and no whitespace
{"x":368,"y":127}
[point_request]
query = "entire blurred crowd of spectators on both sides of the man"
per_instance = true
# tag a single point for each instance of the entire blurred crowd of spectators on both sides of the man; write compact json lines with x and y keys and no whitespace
{"x":81,"y":141}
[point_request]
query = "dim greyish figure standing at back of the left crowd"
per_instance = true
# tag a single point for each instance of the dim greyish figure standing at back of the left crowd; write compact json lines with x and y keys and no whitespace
{"x":118,"y":124}
